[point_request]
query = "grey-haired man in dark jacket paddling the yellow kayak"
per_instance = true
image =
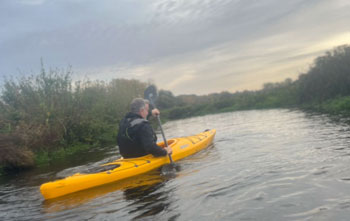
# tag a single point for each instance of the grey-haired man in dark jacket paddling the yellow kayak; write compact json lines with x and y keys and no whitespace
{"x":136,"y":137}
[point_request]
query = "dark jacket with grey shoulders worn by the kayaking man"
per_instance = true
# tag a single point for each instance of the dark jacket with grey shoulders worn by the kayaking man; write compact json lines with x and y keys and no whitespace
{"x":136,"y":138}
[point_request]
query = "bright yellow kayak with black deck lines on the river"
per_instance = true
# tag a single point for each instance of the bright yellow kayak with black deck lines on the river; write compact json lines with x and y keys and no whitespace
{"x":125,"y":168}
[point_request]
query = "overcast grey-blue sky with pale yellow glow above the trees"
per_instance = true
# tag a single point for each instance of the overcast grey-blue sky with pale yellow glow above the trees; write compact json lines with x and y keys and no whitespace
{"x":186,"y":46}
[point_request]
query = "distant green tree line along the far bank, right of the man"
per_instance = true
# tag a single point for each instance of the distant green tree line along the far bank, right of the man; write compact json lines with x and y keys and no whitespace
{"x":324,"y":87}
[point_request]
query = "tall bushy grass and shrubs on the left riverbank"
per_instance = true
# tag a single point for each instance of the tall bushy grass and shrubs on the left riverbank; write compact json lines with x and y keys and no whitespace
{"x":46,"y":112}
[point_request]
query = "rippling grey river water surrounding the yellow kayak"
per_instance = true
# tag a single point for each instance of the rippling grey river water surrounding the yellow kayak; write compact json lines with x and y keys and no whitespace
{"x":263,"y":165}
